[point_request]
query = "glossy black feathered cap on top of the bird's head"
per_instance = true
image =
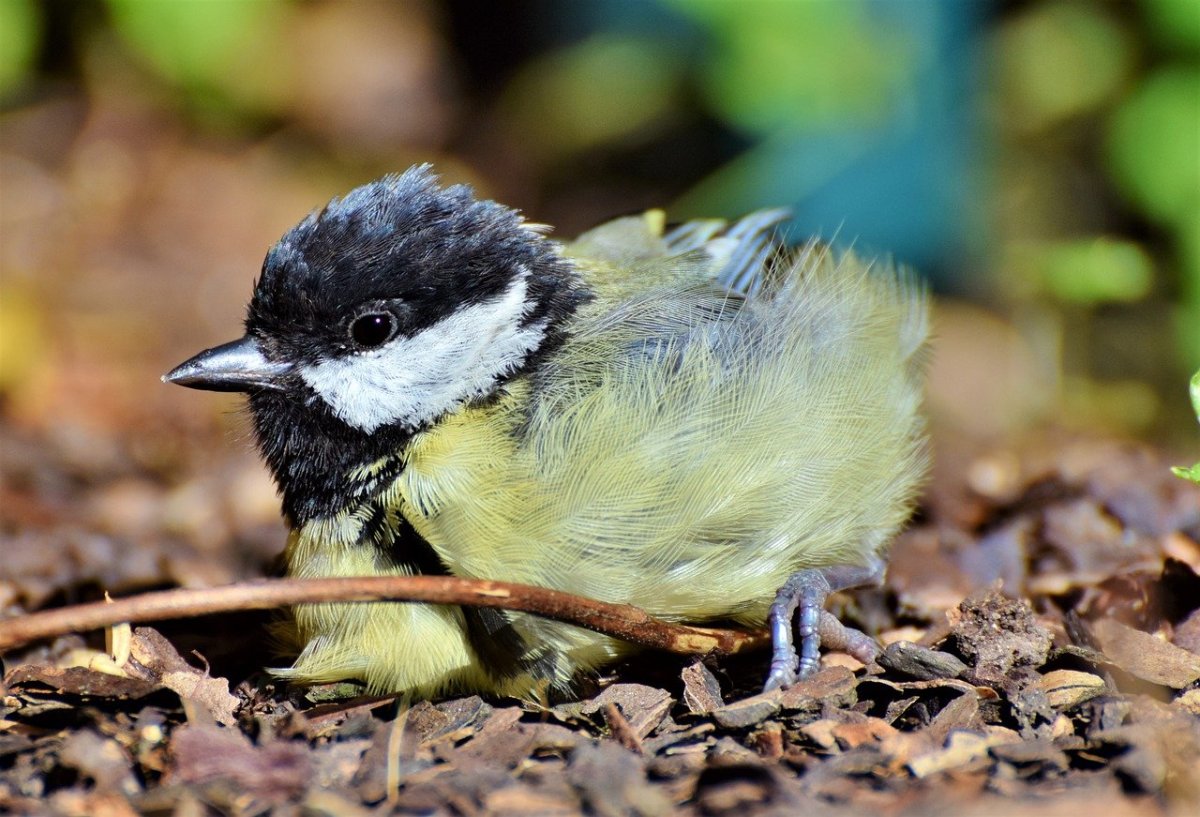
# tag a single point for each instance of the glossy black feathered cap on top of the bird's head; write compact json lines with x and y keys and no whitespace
{"x":404,"y":237}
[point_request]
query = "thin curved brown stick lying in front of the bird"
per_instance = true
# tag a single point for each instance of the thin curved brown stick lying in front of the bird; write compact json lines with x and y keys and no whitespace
{"x":622,"y":622}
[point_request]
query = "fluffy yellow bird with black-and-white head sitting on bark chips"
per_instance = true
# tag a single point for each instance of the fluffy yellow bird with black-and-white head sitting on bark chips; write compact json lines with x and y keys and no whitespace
{"x":694,"y":419}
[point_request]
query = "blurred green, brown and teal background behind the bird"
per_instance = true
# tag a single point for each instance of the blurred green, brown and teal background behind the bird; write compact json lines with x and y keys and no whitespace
{"x":1037,"y":161}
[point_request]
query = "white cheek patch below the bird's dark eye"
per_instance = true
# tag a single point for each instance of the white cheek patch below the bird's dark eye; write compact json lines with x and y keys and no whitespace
{"x":415,"y":380}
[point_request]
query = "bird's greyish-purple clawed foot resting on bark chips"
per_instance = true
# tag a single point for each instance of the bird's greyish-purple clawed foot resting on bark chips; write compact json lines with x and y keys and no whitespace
{"x":803,"y":598}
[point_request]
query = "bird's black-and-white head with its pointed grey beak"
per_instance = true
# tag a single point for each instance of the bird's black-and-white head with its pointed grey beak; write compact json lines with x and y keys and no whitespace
{"x":382,"y":313}
